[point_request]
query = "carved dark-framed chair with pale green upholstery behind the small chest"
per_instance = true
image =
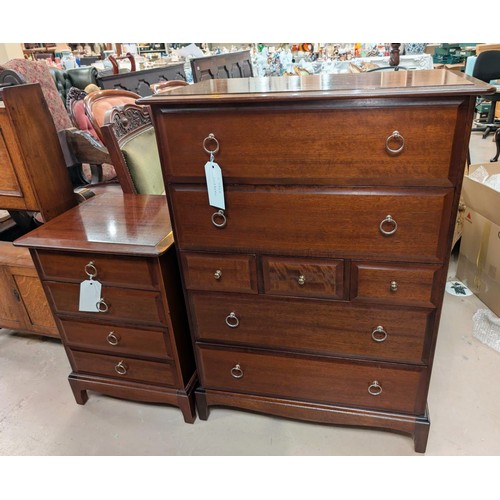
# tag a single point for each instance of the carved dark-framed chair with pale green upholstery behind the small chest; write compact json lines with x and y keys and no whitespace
{"x":130,"y":138}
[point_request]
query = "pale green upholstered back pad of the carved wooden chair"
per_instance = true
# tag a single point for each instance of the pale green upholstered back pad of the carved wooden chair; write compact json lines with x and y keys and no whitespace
{"x":143,"y":161}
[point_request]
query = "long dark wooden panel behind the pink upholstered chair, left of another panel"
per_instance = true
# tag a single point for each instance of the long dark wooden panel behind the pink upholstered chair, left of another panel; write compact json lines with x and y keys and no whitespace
{"x":140,"y":81}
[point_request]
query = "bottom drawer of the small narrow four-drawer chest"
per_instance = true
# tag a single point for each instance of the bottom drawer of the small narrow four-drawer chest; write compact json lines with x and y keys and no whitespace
{"x":125,"y":368}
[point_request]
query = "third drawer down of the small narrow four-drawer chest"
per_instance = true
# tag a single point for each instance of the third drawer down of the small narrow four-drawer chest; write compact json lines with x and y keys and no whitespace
{"x":117,"y":339}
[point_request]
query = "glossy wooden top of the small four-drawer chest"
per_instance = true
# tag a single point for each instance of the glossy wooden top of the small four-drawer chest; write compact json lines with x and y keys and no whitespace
{"x":128,"y":224}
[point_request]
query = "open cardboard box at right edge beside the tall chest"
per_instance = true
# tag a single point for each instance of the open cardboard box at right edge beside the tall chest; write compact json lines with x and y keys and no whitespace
{"x":479,"y":259}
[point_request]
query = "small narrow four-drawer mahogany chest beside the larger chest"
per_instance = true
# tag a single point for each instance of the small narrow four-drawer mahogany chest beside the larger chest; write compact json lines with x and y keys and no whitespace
{"x":135,"y":343}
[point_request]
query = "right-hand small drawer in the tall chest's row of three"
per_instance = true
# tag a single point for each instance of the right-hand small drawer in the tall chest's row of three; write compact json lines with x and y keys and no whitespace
{"x":392,"y":283}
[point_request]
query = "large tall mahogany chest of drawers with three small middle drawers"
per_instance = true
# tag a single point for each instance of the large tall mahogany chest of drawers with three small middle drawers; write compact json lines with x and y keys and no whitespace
{"x":316,"y":292}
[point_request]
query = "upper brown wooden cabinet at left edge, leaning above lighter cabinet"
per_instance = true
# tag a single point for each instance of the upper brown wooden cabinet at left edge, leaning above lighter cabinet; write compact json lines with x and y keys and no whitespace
{"x":33,"y":173}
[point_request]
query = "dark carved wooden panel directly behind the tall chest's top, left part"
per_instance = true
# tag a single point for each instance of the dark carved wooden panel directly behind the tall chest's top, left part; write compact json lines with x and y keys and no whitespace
{"x":232,"y":65}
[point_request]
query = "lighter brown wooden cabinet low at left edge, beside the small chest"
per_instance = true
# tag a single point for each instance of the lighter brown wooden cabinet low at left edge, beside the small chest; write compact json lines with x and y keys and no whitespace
{"x":24,"y":306}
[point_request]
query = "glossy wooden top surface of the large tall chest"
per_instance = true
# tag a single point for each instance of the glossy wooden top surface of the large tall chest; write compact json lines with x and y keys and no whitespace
{"x":317,"y":87}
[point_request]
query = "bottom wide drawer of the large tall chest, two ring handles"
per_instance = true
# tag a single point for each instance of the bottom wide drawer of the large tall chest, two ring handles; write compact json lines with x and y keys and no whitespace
{"x":317,"y":380}
